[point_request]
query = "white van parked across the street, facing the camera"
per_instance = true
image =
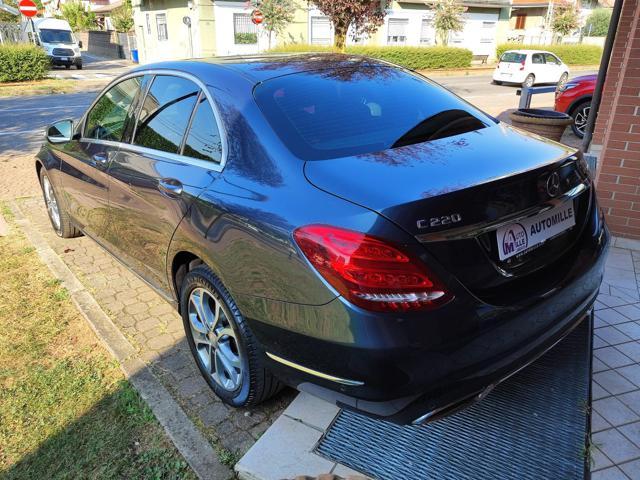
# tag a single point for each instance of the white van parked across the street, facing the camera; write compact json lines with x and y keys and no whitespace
{"x":58,"y":41}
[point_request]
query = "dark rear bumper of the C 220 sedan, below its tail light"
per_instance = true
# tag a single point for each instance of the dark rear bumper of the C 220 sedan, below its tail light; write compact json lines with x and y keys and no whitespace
{"x":401,"y":368}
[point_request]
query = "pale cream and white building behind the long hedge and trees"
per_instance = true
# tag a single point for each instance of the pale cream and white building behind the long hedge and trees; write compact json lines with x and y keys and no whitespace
{"x":221,"y":27}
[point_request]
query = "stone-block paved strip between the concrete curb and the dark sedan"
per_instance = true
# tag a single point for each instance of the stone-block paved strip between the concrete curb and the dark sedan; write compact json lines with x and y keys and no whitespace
{"x":155,"y":329}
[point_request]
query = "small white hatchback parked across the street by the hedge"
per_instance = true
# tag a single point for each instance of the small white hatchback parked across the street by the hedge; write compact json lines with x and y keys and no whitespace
{"x":529,"y":67}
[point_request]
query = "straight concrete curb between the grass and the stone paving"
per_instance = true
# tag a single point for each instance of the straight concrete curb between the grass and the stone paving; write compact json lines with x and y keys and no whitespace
{"x":189,"y":441}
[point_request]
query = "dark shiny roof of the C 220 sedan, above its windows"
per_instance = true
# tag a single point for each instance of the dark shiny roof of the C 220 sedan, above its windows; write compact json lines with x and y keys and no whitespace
{"x":258,"y":68}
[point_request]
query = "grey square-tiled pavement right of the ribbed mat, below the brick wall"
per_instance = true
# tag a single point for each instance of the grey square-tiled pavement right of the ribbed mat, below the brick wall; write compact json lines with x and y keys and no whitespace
{"x":616,"y":370}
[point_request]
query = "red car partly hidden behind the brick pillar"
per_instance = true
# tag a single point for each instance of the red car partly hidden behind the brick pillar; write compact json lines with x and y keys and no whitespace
{"x":574,"y":98}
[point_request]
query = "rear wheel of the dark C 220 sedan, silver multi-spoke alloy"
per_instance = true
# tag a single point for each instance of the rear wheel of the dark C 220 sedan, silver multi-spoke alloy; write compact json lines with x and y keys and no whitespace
{"x":228,"y":344}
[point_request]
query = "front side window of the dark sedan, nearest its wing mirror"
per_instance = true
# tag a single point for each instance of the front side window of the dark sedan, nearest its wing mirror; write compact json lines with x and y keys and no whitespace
{"x":107,"y":119}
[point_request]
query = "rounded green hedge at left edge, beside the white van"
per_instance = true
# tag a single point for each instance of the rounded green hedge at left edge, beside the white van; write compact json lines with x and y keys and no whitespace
{"x":19,"y":63}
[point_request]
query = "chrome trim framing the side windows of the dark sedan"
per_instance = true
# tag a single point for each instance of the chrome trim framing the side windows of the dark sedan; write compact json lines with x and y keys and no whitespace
{"x":206,"y":164}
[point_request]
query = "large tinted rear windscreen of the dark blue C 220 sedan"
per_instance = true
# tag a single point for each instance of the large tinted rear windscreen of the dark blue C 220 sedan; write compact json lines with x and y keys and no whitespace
{"x":344,"y":112}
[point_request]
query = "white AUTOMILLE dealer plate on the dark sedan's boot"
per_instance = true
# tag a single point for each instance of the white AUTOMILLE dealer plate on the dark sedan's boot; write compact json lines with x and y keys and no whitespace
{"x":521,"y":236}
